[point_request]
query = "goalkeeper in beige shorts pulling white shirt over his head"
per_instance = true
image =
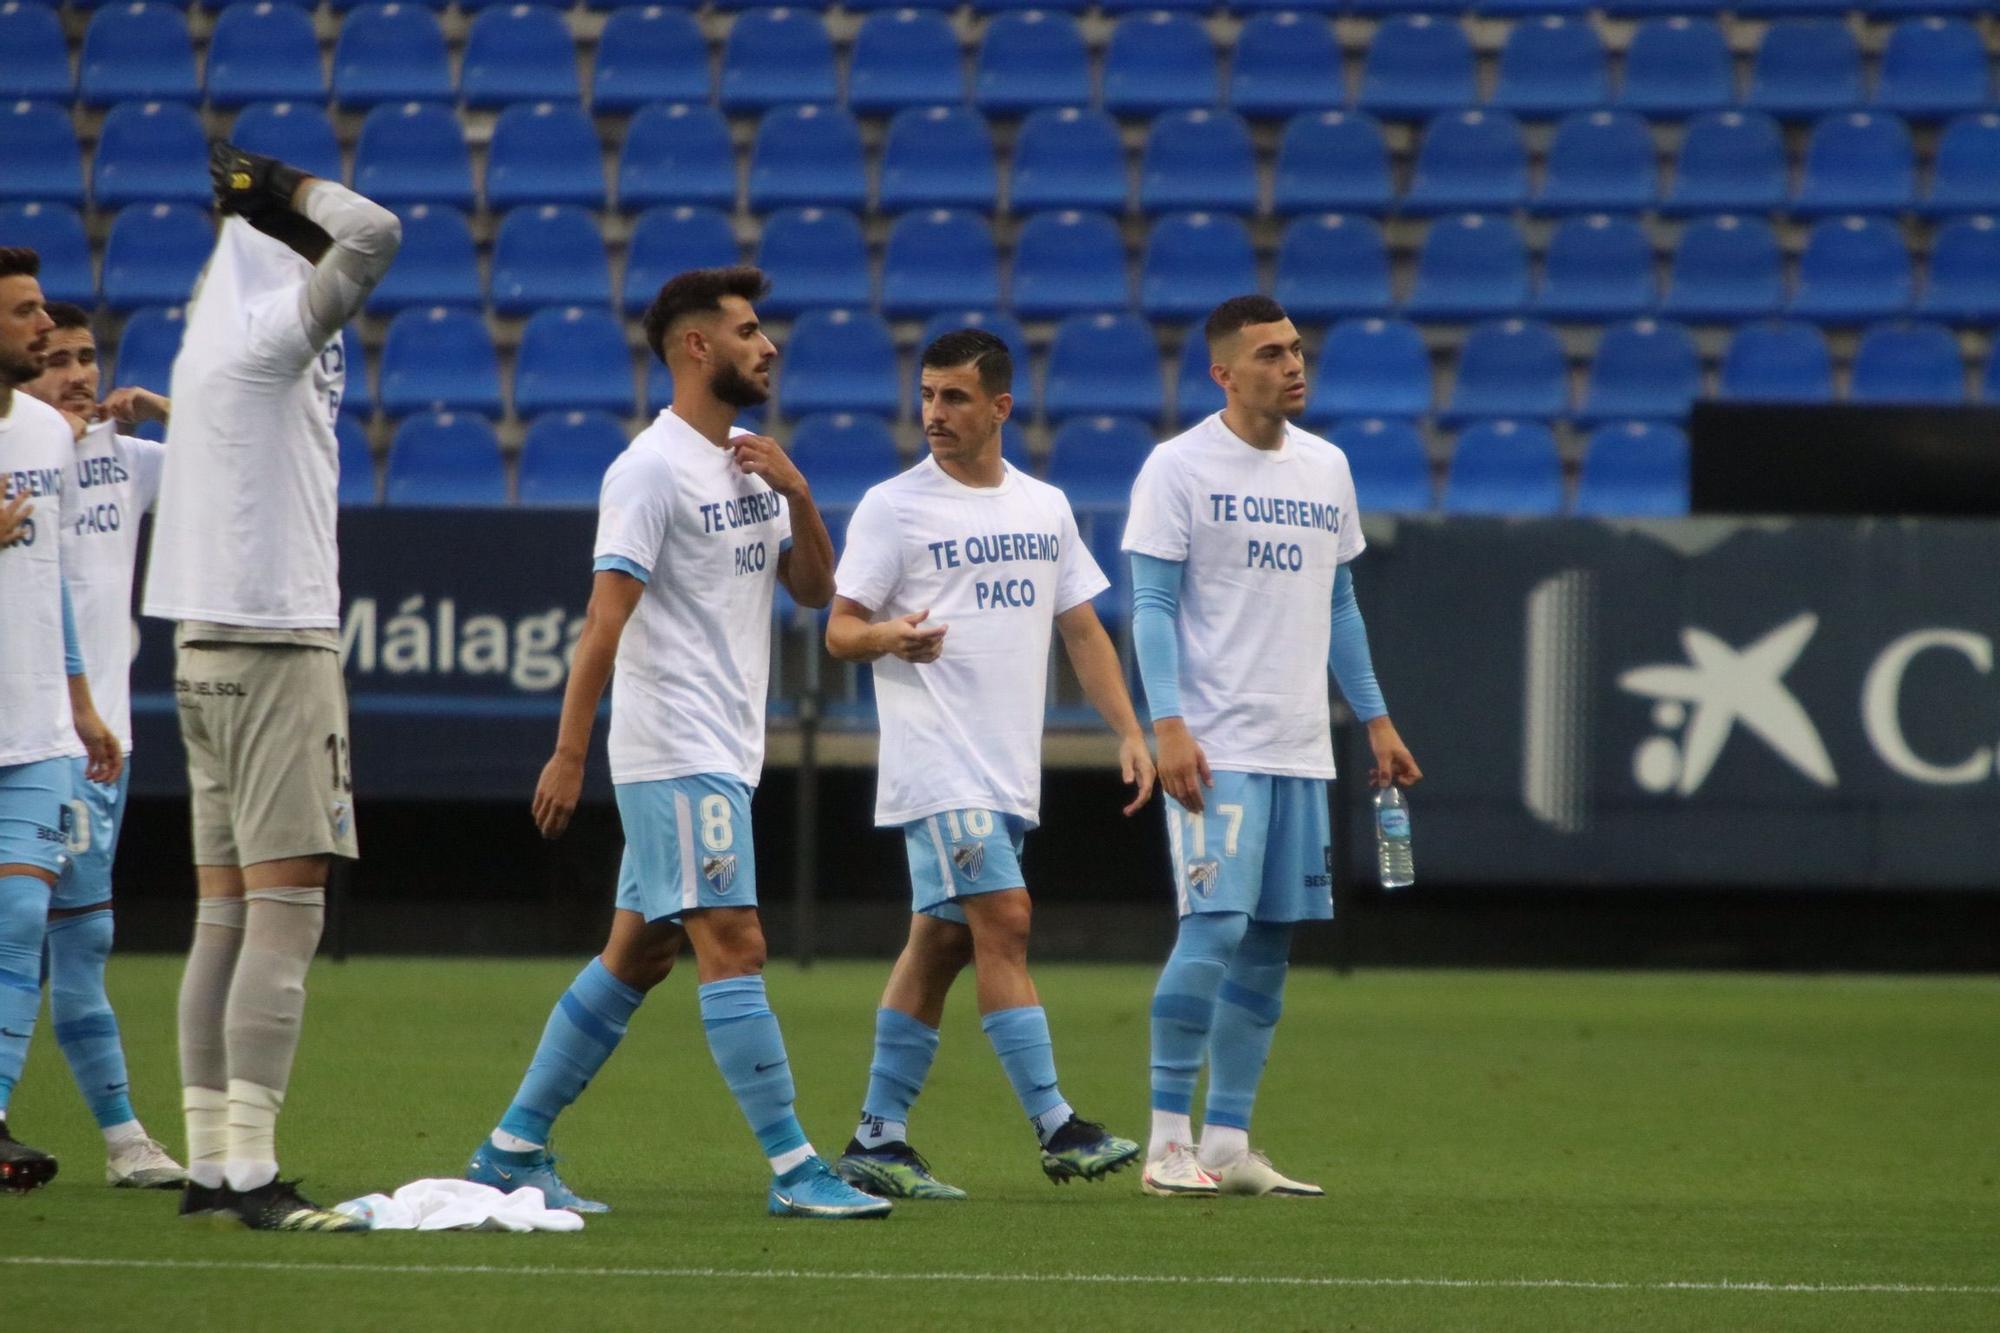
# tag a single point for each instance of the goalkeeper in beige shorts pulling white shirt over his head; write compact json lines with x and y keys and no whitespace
{"x":245,"y":563}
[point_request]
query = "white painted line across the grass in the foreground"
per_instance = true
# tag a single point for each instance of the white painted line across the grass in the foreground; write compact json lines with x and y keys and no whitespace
{"x":1081,"y":1280}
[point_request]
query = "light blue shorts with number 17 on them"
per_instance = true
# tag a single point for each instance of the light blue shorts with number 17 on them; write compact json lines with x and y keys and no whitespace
{"x":1263,"y":848}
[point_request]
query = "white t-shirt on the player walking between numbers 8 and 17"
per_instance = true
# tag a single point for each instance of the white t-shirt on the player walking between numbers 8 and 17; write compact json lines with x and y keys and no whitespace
{"x":997,"y":565}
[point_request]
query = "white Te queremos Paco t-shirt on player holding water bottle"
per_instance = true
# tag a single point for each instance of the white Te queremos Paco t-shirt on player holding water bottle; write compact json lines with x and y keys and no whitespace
{"x":1261,"y":535}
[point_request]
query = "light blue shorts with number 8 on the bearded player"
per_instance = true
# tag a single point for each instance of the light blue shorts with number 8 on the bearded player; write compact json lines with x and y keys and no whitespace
{"x":687,"y":846}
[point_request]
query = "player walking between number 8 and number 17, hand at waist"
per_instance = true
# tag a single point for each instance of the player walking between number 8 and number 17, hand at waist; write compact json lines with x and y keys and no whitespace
{"x":953,"y":581}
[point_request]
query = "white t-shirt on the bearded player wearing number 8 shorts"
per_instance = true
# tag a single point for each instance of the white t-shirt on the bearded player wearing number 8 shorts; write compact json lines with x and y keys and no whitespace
{"x":695,"y":661}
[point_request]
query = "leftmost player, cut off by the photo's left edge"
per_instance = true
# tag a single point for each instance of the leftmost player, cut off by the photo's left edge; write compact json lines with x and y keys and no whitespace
{"x":47,"y":716}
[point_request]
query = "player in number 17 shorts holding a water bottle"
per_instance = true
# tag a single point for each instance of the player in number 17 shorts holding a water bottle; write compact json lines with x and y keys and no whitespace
{"x":1241,"y":533}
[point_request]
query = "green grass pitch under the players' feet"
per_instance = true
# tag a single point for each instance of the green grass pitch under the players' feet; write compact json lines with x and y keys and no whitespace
{"x":1501,"y":1152}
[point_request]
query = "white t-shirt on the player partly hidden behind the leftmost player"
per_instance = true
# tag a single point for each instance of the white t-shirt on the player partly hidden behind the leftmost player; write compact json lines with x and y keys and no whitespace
{"x":113,"y":483}
